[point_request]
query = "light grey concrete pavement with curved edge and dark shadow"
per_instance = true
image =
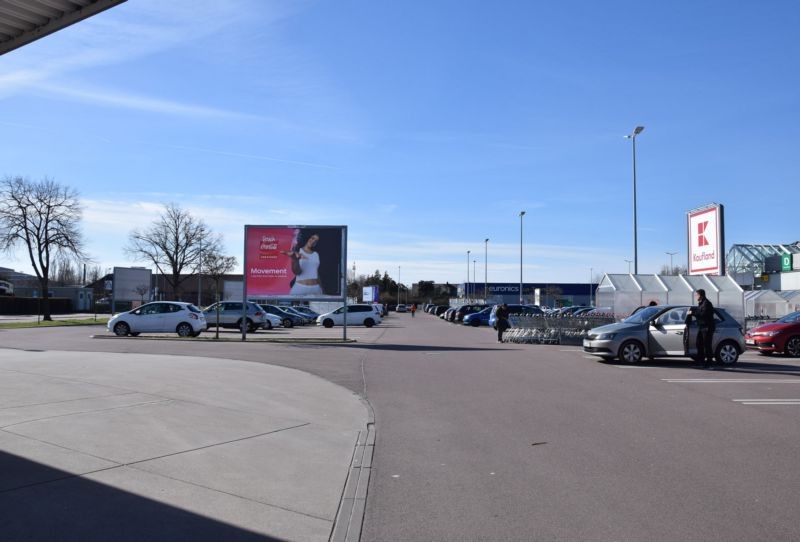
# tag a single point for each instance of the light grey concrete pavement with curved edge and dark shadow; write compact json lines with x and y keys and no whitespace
{"x":97,"y":446}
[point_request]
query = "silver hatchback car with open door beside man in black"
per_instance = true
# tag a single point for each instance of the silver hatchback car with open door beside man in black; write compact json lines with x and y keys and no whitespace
{"x":663,"y":331}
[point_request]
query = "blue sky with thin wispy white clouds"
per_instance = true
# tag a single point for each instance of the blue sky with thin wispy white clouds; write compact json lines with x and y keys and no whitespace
{"x":424,"y":126}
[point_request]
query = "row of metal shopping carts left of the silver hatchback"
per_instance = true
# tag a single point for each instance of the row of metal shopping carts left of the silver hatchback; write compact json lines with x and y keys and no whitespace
{"x":549,"y":330}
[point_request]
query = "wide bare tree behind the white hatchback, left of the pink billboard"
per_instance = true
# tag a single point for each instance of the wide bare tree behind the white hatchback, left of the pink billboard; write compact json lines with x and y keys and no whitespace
{"x":174,"y":243}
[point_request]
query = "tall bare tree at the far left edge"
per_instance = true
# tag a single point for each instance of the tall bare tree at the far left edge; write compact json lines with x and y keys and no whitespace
{"x":44,"y":216}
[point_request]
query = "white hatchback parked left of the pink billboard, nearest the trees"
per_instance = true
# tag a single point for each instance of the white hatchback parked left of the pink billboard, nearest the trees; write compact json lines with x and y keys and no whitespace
{"x":160,"y":317}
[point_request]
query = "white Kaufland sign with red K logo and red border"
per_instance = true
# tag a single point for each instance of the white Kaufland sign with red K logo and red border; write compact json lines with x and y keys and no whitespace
{"x":706,"y":237}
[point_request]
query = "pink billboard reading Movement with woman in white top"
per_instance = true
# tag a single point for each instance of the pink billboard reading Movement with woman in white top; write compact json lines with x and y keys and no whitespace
{"x":295,"y":262}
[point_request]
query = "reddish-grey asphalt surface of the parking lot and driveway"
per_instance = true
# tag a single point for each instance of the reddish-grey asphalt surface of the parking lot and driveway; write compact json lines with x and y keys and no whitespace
{"x":477,"y":440}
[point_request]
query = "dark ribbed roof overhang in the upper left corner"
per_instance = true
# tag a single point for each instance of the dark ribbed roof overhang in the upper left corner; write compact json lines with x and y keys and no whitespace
{"x":25,"y":21}
